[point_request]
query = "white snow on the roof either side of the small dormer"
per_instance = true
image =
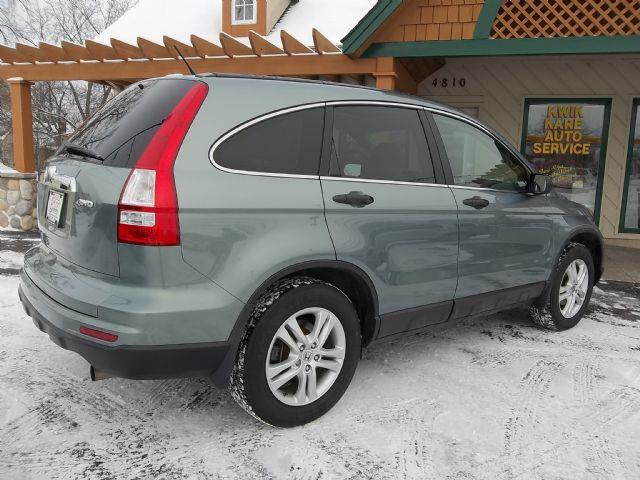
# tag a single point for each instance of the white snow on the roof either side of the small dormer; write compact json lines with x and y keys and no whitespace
{"x":151,"y":19}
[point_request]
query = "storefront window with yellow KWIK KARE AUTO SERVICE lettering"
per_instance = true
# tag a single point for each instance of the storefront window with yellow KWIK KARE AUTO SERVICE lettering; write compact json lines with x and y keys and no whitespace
{"x":566,"y":139}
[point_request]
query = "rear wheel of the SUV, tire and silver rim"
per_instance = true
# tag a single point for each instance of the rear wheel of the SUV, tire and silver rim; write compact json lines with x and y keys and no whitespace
{"x":263,"y":351}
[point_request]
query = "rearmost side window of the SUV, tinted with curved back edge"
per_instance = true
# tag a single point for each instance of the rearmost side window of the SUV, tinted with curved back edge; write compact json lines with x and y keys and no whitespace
{"x":288,"y":144}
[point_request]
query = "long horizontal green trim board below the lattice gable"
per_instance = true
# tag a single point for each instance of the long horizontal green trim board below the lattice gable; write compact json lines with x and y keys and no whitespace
{"x":498,"y":47}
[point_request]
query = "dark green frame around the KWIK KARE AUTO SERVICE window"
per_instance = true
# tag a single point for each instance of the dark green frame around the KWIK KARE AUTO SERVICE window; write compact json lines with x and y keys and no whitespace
{"x":606,"y":102}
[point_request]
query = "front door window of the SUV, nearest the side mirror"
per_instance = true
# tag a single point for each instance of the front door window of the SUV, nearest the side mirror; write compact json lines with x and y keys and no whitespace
{"x":477,"y":160}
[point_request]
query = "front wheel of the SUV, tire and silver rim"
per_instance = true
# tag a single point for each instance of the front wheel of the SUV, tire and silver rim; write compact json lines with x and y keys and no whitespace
{"x":567,"y":297}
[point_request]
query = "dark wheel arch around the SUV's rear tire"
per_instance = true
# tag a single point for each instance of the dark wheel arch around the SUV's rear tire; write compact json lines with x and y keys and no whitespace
{"x":349,"y":278}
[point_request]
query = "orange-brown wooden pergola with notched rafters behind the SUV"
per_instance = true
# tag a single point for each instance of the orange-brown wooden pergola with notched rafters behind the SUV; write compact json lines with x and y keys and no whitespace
{"x":120,"y":64}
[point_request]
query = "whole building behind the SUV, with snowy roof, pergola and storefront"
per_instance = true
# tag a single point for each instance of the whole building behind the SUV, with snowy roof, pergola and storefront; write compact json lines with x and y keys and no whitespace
{"x":559,"y":79}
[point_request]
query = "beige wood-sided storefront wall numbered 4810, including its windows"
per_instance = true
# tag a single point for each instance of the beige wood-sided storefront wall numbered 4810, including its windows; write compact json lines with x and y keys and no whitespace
{"x":574,"y":117}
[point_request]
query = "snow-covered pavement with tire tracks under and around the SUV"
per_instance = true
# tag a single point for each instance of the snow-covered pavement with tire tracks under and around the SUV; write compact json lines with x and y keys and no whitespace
{"x":490,"y":399}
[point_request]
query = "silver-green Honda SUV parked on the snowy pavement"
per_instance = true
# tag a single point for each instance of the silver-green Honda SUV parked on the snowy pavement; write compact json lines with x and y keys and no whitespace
{"x":263,"y":231}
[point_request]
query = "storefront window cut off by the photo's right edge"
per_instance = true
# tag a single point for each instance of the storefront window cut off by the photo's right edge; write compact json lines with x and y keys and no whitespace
{"x":630,"y":221}
